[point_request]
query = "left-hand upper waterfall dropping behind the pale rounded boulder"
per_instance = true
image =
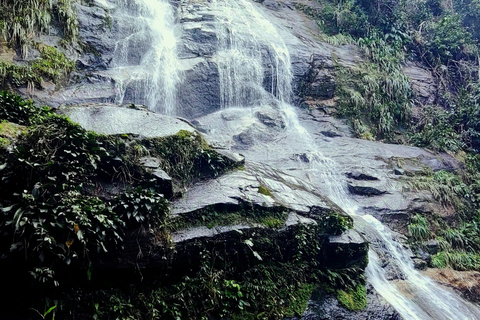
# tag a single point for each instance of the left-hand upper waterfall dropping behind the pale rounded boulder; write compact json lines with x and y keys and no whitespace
{"x":145,"y":65}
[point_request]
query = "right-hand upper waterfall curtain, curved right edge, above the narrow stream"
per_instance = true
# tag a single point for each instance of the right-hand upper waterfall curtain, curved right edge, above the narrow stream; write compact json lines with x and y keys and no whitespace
{"x":248,"y":46}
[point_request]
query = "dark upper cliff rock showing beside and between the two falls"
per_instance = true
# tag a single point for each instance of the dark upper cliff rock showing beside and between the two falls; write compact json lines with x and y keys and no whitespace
{"x":312,"y":62}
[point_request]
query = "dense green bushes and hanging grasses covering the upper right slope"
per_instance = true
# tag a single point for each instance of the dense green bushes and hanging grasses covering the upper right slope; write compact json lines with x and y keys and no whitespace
{"x":378,"y":100}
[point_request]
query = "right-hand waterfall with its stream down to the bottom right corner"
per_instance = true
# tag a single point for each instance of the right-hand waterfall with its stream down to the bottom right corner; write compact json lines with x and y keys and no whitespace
{"x":249,"y":47}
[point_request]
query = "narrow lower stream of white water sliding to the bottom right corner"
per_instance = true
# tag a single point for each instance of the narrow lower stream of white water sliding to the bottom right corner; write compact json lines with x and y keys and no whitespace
{"x":412,"y":294}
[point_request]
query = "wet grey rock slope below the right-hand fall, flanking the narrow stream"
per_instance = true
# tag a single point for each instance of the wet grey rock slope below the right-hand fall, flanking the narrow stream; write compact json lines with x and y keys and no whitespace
{"x":369,"y":169}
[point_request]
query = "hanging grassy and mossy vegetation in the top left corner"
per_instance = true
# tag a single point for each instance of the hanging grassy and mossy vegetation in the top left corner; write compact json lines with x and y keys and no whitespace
{"x":20,"y":23}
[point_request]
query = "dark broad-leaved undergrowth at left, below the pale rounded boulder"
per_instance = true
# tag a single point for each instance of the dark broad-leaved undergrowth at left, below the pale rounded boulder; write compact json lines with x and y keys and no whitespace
{"x":54,"y":188}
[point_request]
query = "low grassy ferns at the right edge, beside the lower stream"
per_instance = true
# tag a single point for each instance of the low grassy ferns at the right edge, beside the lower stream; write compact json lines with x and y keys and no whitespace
{"x":459,"y":238}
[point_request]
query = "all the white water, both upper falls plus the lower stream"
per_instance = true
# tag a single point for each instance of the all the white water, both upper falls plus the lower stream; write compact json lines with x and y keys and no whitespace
{"x":254,"y":70}
